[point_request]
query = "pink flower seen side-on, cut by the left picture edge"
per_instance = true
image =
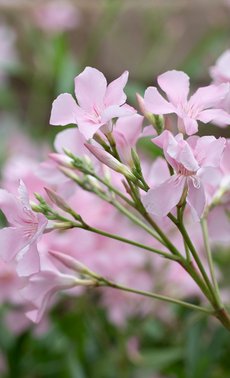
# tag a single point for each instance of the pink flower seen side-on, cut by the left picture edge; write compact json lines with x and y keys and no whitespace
{"x":19,"y":241}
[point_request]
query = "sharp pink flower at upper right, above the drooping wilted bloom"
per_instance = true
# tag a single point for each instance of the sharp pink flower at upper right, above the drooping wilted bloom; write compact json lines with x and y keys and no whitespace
{"x":202,"y":106}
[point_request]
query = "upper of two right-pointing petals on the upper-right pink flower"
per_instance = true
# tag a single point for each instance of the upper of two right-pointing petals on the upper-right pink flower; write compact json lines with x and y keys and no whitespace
{"x":209,"y":96}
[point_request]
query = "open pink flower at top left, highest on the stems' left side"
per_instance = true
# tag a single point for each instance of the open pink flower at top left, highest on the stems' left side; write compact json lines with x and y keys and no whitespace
{"x":98,"y":103}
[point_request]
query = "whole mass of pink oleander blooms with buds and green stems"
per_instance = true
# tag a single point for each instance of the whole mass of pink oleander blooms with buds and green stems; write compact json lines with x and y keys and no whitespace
{"x":99,"y":193}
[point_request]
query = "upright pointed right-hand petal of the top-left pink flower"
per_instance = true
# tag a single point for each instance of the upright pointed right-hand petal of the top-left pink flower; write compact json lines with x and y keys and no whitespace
{"x":115,"y":91}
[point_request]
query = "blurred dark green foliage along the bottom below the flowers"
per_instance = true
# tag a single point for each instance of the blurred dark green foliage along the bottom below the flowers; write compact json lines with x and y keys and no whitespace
{"x":81,"y":343}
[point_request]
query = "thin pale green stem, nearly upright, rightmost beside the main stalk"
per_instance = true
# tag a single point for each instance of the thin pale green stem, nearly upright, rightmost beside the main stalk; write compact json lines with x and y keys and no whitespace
{"x":204,"y":228}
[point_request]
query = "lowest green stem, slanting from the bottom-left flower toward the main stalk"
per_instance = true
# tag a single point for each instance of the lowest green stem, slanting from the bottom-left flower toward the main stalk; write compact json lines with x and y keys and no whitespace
{"x":159,"y":297}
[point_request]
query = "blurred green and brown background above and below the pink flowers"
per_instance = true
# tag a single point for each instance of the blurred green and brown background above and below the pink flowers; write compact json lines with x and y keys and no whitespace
{"x":43,"y":46}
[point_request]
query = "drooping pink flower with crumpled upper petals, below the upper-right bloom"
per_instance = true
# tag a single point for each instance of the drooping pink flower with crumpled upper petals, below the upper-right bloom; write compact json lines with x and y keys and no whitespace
{"x":190,"y":160}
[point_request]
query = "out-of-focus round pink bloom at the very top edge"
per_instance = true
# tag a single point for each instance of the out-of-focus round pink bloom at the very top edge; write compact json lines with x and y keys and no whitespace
{"x":57,"y":16}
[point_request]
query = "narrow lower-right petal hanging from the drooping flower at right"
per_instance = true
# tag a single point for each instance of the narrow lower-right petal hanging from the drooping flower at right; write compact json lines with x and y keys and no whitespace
{"x":196,"y":198}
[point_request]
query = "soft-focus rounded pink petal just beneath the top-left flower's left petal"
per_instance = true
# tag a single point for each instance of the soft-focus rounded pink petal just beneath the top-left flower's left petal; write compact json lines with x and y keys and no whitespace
{"x":70,"y":139}
